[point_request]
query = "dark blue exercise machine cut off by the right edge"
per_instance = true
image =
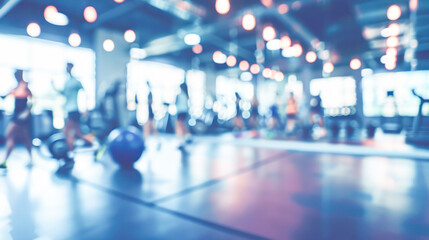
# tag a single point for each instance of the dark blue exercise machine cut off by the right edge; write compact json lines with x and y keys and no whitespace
{"x":419,"y":134}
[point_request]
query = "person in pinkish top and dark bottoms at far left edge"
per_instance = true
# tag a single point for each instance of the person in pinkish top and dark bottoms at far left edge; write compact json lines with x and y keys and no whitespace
{"x":20,"y":127}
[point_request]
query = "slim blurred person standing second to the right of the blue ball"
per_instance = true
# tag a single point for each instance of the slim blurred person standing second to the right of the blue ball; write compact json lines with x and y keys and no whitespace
{"x":182,"y":131}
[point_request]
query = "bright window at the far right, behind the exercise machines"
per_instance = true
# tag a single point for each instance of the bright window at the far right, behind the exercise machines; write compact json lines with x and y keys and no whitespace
{"x":375,"y":88}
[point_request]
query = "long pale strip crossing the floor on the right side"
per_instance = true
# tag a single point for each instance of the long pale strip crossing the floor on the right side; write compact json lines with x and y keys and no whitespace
{"x":329,"y":148}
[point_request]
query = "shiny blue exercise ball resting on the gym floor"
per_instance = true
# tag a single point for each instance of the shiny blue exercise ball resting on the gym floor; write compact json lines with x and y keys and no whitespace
{"x":126,"y":146}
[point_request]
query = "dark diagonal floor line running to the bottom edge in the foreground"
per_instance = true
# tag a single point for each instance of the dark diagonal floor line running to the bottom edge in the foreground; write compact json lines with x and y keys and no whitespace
{"x":152,"y":205}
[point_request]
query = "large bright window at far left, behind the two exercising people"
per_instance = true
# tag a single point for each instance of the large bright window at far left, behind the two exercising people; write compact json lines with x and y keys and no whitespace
{"x":44,"y":62}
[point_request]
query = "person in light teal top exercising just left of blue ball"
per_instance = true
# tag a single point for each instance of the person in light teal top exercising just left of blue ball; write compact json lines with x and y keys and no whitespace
{"x":72,"y":130}
